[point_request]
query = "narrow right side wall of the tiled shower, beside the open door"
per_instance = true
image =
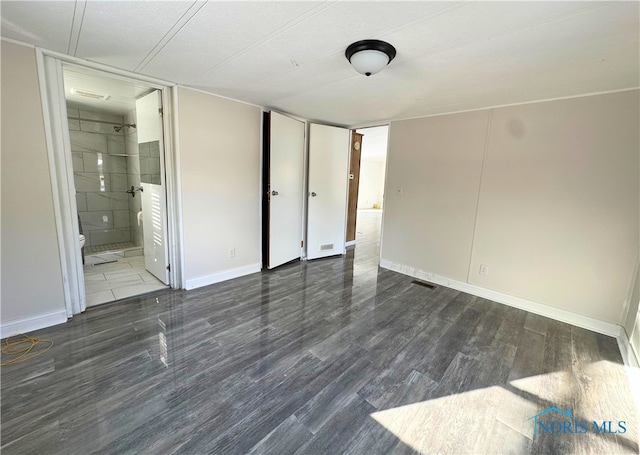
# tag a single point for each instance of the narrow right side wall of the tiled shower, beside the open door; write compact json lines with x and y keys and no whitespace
{"x":133,"y":177}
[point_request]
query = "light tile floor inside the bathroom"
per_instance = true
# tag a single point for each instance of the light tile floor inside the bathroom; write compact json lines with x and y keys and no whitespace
{"x":110,"y":276}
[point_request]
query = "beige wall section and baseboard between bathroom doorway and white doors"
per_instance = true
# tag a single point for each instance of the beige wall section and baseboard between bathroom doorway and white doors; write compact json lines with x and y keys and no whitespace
{"x":219,"y":146}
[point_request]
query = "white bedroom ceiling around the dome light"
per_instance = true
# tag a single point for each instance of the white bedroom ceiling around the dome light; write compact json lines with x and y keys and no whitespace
{"x":451,"y":56}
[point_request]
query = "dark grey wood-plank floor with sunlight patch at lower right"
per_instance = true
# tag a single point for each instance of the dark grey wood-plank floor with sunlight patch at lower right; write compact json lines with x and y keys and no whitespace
{"x":321,"y":357}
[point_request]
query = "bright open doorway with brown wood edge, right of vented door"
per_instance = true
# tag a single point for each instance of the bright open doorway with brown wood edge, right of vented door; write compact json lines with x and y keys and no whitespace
{"x":366,"y":188}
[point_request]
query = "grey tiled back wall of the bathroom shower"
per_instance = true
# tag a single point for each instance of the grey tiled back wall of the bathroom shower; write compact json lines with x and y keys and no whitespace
{"x":100,"y":174}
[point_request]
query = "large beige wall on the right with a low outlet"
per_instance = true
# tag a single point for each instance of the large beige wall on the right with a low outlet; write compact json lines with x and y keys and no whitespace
{"x":557,"y":208}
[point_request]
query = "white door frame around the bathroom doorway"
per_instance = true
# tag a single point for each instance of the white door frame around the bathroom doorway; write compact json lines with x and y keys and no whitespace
{"x":50,"y":77}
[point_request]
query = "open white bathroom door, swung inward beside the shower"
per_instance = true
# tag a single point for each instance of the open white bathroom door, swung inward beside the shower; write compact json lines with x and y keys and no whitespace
{"x":154,"y":204}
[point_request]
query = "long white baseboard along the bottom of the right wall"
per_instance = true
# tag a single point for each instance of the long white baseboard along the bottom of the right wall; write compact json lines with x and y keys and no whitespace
{"x":585,"y":322}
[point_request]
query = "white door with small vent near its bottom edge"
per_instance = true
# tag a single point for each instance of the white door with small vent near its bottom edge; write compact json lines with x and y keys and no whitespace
{"x":328,"y":178}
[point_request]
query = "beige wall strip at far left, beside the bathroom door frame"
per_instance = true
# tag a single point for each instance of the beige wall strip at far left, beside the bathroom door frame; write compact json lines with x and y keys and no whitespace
{"x":31,"y":272}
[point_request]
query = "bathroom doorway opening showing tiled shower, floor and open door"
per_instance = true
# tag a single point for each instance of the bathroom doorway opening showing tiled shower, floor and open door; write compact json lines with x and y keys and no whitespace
{"x":116,"y":154}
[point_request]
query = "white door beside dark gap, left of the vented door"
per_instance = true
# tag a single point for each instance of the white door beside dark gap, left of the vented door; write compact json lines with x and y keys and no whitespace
{"x":285,"y":190}
